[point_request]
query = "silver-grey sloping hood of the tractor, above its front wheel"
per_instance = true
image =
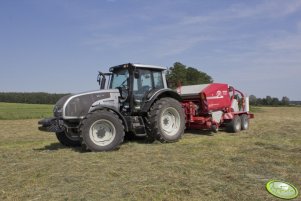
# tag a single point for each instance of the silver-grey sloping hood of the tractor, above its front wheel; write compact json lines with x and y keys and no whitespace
{"x":77,"y":106}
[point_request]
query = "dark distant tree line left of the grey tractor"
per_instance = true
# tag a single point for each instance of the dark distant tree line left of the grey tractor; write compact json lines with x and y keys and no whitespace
{"x":31,"y":98}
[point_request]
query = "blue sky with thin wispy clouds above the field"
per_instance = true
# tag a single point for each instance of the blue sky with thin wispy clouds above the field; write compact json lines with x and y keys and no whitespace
{"x":59,"y":45}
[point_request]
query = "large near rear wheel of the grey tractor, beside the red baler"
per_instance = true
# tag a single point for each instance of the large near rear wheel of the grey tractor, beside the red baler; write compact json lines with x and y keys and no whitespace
{"x":165,"y":120}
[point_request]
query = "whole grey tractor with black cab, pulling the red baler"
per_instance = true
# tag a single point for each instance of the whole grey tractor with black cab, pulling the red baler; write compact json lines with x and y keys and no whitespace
{"x":133,"y":98}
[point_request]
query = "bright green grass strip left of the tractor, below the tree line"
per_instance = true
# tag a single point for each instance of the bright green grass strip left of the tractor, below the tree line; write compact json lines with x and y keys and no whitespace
{"x":24,"y":111}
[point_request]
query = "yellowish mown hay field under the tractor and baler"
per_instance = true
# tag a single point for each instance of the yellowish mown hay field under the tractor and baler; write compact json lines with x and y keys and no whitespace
{"x":201,"y":166}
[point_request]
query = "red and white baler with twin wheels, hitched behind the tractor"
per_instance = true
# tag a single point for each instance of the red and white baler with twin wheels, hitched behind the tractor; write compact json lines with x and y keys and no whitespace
{"x":215,"y":105}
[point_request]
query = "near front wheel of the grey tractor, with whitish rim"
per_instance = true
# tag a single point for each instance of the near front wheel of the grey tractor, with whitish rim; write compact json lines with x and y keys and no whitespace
{"x":101,"y":130}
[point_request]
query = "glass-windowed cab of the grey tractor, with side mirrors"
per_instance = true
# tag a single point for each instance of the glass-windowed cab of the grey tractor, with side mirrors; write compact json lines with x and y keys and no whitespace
{"x":135,"y":82}
